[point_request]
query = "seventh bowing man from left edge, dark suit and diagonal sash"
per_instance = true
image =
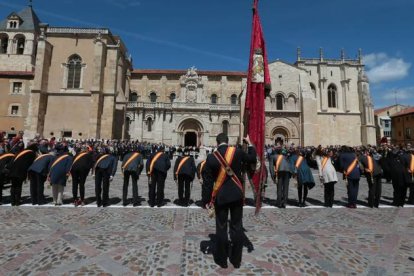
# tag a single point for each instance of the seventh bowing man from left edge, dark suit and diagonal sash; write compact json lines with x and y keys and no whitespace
{"x":132,"y":165}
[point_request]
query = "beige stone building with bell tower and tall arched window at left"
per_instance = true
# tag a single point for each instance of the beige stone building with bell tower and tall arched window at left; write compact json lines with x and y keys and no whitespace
{"x":61,"y":81}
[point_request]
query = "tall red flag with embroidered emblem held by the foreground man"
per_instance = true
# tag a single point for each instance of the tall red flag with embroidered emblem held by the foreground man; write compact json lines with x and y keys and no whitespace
{"x":258,"y":83}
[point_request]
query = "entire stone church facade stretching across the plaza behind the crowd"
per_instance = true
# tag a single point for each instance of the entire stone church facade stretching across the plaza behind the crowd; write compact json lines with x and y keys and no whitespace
{"x":80,"y":83}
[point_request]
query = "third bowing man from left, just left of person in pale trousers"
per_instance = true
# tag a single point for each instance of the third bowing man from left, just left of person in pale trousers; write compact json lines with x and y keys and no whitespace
{"x":38,"y":172}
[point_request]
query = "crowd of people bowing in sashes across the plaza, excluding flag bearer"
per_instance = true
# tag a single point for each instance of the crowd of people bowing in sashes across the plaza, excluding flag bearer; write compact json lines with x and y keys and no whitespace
{"x":54,"y":161}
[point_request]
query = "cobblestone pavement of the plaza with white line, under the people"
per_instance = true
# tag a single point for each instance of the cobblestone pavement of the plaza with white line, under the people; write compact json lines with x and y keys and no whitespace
{"x":49,"y":240}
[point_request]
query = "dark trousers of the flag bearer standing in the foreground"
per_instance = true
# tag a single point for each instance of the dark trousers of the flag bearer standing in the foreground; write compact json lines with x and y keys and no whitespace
{"x":236,"y":233}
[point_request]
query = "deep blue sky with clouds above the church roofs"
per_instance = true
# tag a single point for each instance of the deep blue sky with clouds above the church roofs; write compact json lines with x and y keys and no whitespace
{"x":215,"y":34}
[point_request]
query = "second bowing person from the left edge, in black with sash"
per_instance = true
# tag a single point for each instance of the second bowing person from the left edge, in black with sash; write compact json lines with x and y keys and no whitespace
{"x":18,"y":172}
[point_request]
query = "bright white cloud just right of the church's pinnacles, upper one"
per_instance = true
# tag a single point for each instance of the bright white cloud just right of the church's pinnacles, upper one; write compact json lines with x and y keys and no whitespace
{"x":382,"y":68}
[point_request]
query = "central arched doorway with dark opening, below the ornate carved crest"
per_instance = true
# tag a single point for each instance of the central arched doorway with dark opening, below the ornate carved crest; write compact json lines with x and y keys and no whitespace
{"x":190,"y":132}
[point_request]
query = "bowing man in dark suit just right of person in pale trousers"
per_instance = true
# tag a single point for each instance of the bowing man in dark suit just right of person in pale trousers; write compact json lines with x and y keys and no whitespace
{"x":82,"y":164}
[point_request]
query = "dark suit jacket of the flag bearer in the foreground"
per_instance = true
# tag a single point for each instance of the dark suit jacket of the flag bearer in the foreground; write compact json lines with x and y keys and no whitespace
{"x":229,"y":191}
